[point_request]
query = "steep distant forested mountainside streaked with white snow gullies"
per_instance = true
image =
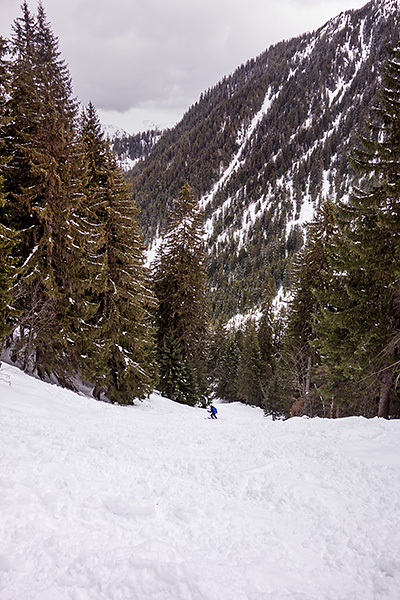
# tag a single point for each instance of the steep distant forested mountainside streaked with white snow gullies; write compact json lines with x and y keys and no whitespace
{"x":264,"y":146}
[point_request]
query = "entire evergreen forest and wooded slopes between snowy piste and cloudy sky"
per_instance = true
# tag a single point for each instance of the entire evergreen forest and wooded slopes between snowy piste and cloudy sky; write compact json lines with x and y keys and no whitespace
{"x":222,"y":197}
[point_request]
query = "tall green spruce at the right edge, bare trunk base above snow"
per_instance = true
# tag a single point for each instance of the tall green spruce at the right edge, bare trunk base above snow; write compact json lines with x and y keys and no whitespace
{"x":362,"y":333}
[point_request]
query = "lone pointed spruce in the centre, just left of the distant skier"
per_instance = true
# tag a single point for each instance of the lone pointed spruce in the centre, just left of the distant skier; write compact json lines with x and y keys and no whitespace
{"x":182,"y":314}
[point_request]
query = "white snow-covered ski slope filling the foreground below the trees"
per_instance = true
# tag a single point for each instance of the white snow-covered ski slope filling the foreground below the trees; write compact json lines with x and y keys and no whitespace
{"x":156,"y":502}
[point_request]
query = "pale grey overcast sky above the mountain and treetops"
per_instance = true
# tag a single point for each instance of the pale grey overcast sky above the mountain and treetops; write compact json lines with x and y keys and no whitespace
{"x":145,"y":62}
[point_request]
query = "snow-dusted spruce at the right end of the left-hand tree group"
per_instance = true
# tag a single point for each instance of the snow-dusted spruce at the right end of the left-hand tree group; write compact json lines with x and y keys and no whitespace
{"x":117,"y":345}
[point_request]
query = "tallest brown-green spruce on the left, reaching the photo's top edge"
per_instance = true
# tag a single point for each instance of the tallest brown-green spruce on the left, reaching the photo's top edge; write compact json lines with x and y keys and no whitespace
{"x":40,"y":186}
